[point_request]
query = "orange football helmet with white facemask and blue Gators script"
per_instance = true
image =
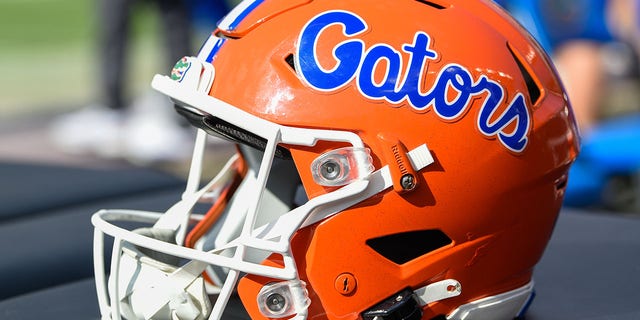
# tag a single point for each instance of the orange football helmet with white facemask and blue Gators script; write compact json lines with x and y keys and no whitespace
{"x":400,"y":159}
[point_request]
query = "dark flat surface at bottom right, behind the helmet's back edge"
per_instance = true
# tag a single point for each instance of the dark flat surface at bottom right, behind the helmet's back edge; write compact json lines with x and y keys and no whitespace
{"x":591,"y":269}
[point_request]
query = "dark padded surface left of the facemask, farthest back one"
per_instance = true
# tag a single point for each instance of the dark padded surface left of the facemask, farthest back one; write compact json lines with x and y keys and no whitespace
{"x":27,"y":189}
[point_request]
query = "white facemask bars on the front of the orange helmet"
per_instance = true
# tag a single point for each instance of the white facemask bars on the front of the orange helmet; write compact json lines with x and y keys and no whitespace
{"x":274,"y":135}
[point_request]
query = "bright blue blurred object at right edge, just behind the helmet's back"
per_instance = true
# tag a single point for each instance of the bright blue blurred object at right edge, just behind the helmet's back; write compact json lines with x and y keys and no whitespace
{"x":610,"y":151}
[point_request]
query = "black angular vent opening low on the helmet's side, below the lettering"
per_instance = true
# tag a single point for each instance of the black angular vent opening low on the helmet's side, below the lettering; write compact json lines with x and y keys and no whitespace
{"x":404,"y":247}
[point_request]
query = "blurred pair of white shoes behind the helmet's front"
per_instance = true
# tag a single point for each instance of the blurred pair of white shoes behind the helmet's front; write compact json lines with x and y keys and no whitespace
{"x":148,"y":132}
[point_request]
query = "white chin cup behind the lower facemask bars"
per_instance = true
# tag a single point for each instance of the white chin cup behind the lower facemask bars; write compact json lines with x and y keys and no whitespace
{"x":153,"y":289}
